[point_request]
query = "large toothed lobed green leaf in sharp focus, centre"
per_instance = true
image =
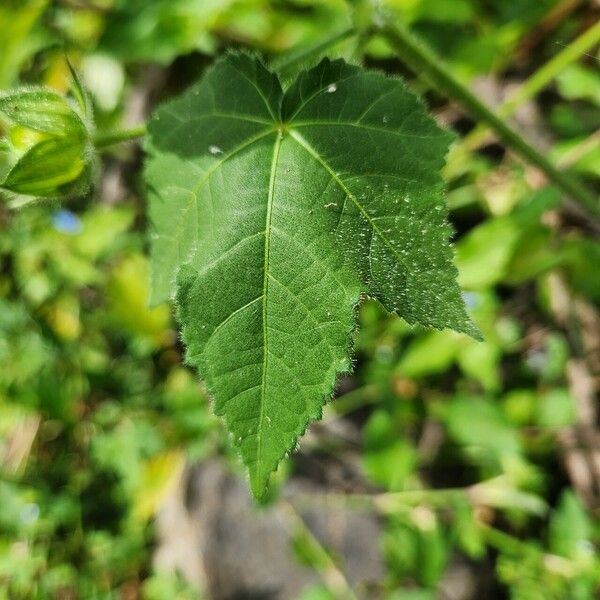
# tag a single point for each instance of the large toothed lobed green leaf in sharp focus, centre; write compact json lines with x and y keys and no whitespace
{"x":274,"y":213}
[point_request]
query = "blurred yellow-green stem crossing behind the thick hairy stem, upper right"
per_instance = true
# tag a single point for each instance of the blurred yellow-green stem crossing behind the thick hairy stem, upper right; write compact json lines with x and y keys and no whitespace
{"x":538,"y":81}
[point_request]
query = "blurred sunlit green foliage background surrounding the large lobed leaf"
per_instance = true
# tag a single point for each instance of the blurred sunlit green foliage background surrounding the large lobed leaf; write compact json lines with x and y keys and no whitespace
{"x":487,"y":451}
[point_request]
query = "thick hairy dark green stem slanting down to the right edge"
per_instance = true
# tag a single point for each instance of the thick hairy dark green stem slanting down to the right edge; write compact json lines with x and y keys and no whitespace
{"x":424,"y":62}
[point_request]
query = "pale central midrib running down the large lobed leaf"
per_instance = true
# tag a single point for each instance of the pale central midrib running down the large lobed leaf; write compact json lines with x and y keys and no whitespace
{"x":263,"y":386}
